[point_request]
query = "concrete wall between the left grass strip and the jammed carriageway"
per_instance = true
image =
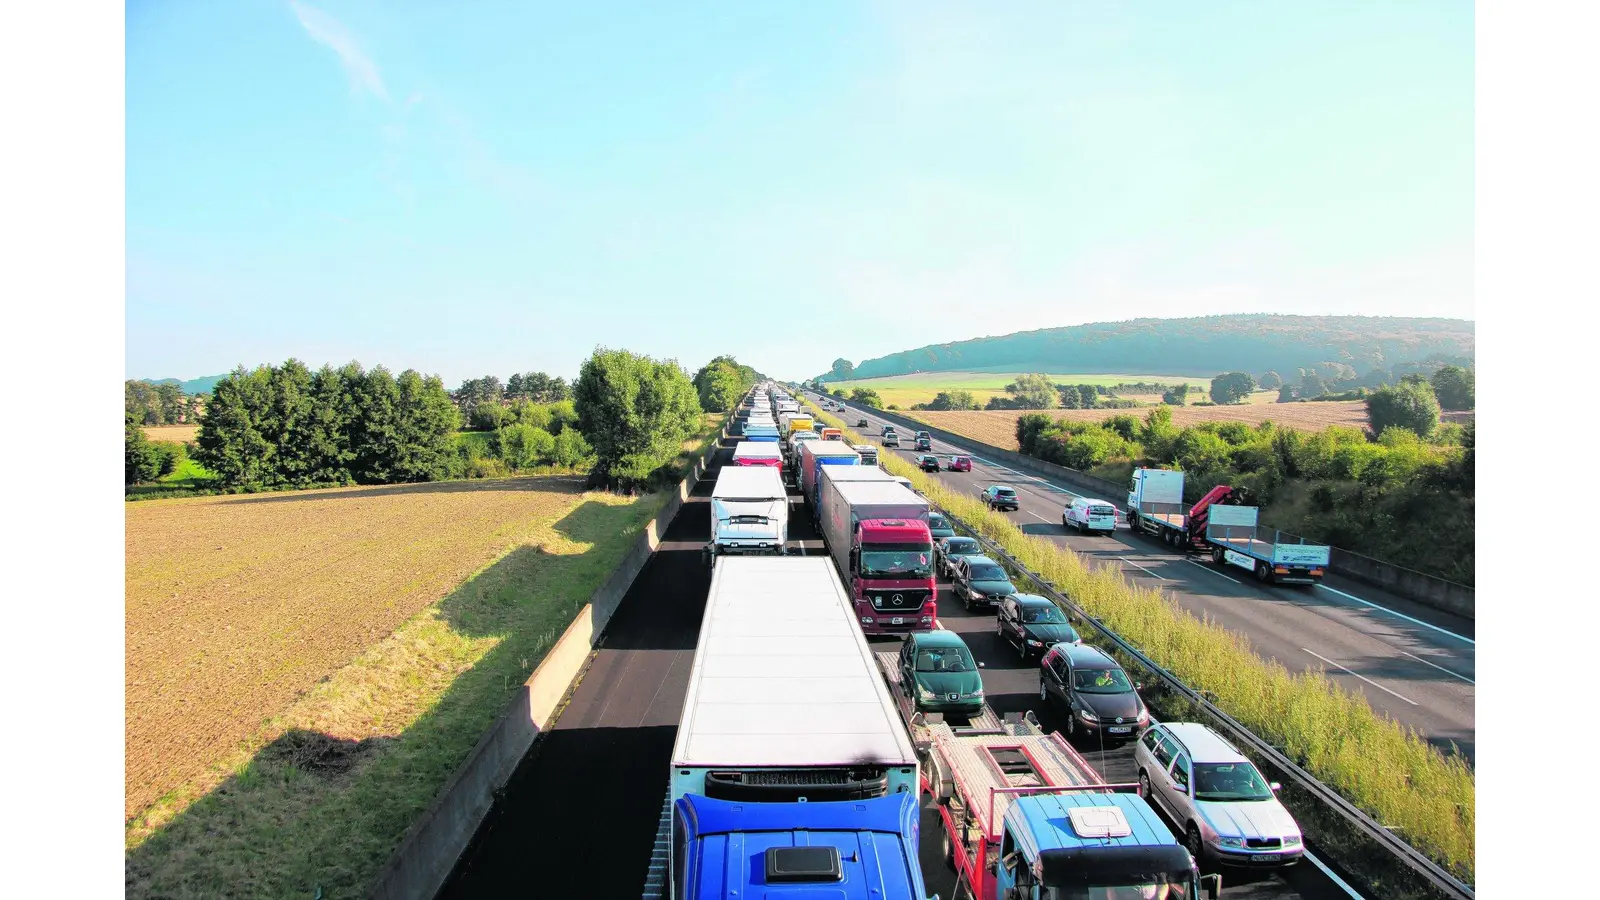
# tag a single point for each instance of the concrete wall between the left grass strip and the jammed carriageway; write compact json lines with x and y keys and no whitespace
{"x":441,"y":835}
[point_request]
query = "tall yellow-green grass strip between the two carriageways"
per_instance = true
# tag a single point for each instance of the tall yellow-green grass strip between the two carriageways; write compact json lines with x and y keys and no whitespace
{"x":1334,"y":734}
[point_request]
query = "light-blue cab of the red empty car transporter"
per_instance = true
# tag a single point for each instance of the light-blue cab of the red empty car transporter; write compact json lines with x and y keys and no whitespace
{"x":1094,"y":846}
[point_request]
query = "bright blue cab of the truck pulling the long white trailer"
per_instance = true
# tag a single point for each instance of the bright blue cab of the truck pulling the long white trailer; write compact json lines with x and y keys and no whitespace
{"x":839,"y":850}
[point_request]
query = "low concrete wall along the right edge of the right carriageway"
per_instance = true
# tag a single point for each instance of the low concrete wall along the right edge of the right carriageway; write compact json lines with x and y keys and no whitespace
{"x":1414,"y":585}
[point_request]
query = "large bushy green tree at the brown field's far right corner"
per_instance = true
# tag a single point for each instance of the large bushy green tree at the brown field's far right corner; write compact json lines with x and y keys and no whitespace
{"x":636,"y":412}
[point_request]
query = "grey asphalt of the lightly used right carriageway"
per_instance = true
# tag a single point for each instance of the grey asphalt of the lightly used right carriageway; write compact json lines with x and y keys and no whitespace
{"x":1414,"y":664}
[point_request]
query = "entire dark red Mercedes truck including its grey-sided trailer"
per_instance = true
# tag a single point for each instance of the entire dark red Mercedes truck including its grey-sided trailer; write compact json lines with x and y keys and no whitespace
{"x":879,"y":537}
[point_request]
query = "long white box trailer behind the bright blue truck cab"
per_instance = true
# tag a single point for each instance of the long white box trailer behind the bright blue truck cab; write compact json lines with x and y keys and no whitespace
{"x":785,"y":694}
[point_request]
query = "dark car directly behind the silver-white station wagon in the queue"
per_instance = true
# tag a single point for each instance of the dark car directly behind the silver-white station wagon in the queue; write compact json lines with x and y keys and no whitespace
{"x":1094,"y":691}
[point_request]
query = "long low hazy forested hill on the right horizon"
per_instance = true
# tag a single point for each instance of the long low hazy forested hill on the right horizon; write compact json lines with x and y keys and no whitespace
{"x":1196,"y":347}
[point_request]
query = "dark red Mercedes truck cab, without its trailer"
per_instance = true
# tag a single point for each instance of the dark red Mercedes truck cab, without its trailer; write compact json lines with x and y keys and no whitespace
{"x":892,"y":577}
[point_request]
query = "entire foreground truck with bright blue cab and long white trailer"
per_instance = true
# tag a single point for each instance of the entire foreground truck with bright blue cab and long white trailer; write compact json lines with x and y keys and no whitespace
{"x":791,"y":774}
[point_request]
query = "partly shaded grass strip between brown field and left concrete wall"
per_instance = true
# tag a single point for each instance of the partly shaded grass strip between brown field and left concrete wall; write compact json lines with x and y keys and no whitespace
{"x":318,"y":802}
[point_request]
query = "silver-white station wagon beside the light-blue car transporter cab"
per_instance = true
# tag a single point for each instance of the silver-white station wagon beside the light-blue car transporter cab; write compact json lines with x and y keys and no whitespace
{"x":1217,"y":798}
